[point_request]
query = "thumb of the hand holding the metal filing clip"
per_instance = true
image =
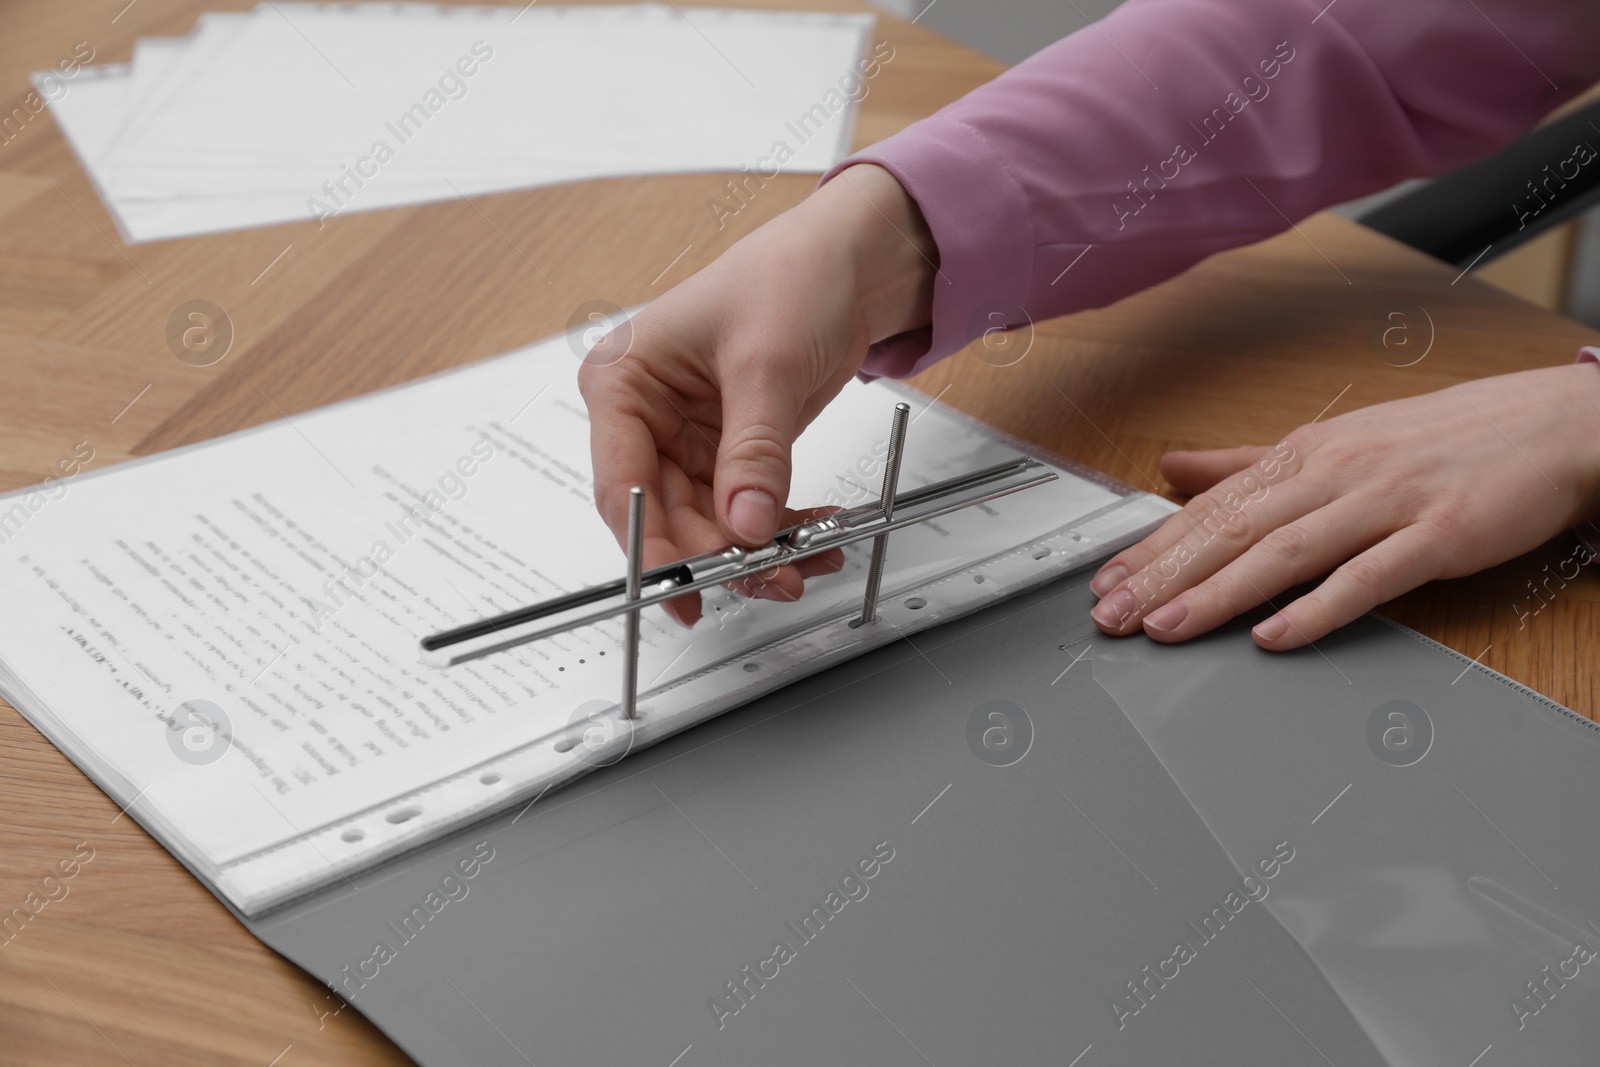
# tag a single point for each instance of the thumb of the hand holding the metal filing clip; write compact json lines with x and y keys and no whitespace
{"x":754,"y":458}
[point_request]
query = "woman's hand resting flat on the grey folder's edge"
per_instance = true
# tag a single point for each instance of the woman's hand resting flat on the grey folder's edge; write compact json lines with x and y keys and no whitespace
{"x":1386,"y":498}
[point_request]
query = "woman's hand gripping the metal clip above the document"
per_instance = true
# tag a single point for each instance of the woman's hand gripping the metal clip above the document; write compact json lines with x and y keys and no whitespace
{"x":702,"y":396}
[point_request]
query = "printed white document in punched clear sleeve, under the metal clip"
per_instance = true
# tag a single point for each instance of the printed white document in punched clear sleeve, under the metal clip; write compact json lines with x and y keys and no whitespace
{"x":225,"y":637}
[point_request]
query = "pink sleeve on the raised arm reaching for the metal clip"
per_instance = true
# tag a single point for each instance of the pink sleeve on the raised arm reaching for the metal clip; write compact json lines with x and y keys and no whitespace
{"x":1177,"y":129}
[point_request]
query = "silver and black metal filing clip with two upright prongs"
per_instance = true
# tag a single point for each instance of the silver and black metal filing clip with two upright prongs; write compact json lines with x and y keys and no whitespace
{"x":642,"y":589}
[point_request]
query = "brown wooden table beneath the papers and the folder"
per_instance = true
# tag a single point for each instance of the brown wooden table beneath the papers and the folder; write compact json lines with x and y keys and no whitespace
{"x":140,"y":965}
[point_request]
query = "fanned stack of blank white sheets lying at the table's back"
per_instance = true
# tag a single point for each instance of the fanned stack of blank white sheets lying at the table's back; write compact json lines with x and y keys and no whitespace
{"x":300,"y":111}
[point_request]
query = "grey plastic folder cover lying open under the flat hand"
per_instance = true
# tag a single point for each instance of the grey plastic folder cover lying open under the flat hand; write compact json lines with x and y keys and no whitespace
{"x":1020,"y":842}
